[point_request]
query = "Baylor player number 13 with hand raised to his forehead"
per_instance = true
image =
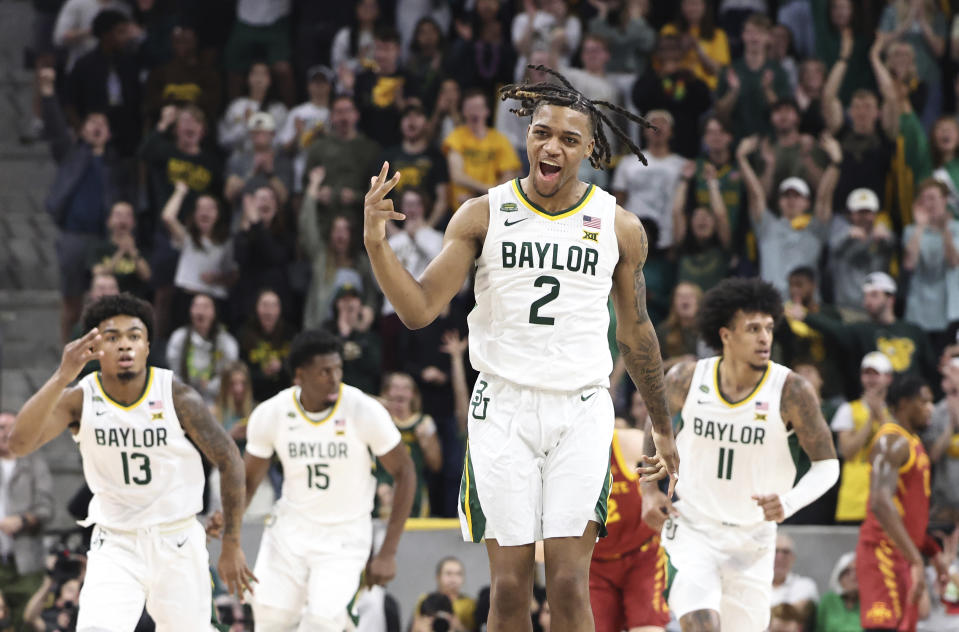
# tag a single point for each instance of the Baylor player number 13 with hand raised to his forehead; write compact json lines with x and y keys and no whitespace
{"x":136,"y":424}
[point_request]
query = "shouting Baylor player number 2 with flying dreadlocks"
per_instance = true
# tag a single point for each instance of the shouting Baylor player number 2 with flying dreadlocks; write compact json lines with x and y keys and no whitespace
{"x":548,"y":249}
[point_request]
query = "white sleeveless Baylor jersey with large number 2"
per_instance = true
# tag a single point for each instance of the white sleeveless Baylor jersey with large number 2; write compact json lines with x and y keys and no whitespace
{"x":542,"y":284}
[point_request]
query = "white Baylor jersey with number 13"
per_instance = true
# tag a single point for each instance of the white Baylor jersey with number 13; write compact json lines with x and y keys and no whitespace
{"x":137,"y":460}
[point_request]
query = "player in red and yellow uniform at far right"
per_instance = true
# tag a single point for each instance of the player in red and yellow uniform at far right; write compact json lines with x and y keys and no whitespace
{"x":893,"y":539}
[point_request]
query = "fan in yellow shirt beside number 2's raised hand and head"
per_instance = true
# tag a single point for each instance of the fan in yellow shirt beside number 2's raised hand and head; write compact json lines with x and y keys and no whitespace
{"x":479,"y":157}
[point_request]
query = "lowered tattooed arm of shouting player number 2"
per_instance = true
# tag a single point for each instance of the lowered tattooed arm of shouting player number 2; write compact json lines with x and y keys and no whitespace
{"x":637,"y":340}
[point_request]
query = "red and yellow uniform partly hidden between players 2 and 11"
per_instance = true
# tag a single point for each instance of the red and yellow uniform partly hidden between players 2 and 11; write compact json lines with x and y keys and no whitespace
{"x":627,"y":575}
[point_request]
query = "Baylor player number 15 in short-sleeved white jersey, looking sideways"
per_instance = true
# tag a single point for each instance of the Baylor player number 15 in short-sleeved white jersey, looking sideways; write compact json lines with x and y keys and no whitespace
{"x":318,"y":539}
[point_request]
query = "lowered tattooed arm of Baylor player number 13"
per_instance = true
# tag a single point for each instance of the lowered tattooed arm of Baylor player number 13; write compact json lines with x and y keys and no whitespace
{"x":213,"y":441}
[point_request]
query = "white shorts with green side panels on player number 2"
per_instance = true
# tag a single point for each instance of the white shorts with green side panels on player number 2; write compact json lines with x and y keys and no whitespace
{"x":537,"y":462}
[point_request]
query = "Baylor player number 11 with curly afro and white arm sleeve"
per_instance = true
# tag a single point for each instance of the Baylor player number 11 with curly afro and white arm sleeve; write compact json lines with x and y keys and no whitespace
{"x":743,"y":419}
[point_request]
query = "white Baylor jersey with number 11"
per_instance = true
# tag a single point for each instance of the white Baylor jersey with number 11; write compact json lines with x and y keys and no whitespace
{"x":730,"y":451}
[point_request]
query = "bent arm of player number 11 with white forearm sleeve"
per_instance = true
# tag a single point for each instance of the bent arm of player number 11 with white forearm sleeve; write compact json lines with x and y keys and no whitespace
{"x":800,"y":409}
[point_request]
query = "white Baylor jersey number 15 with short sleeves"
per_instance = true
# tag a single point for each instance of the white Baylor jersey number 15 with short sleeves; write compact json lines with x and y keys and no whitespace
{"x":327,"y":457}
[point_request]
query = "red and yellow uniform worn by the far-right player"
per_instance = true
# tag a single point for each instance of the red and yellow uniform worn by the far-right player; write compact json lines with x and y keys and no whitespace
{"x":882,"y":569}
